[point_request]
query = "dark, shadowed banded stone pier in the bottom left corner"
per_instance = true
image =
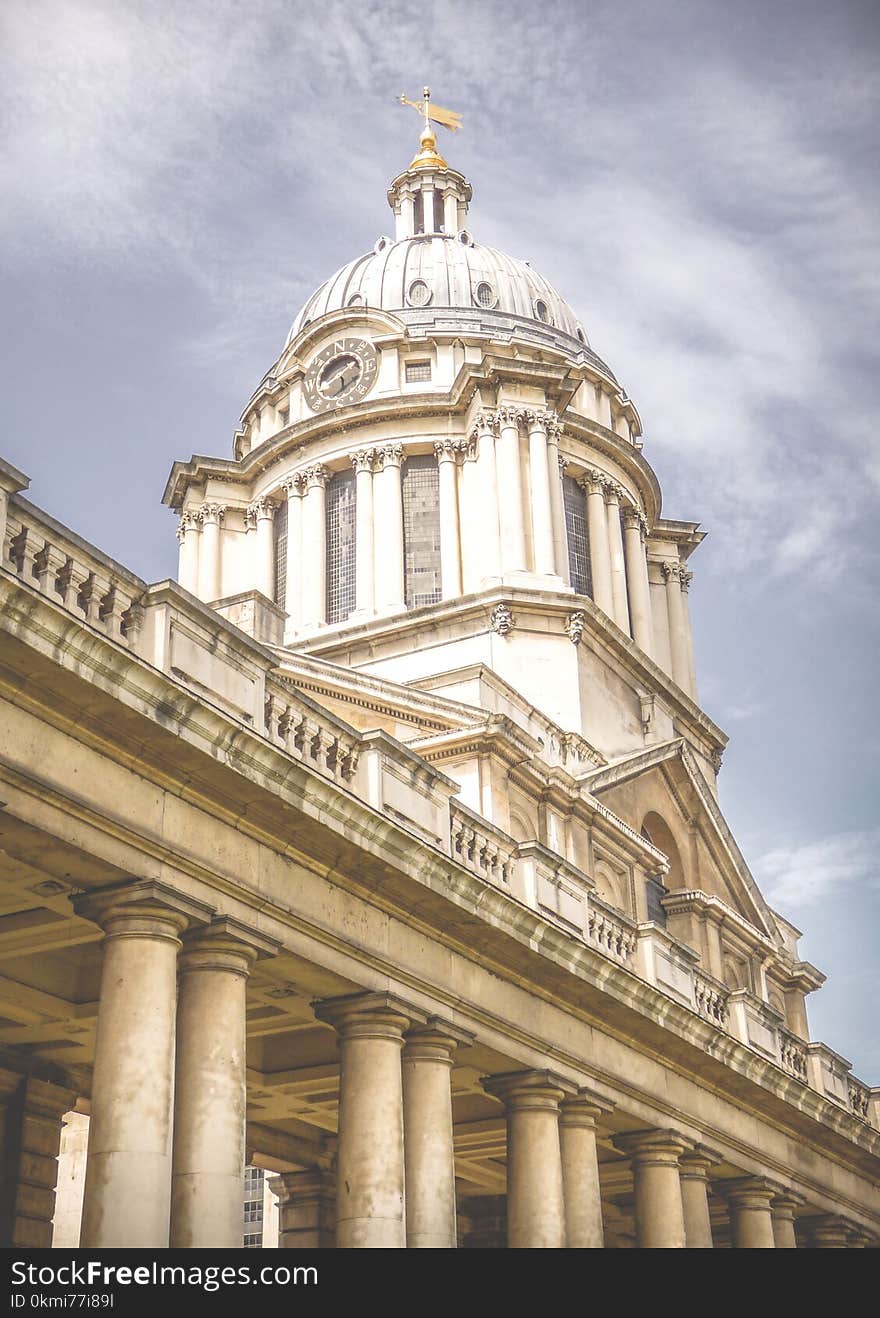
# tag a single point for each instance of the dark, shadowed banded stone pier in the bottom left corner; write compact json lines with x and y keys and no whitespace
{"x":31,"y":1121}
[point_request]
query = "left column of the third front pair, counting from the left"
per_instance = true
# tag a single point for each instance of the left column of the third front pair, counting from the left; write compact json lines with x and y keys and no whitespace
{"x":536,"y":1199}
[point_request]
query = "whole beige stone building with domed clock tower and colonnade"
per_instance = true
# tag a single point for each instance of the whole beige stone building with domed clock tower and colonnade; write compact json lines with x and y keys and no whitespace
{"x":384,"y":851}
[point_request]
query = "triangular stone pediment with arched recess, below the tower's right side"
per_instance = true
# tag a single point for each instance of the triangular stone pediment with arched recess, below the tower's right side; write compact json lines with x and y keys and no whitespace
{"x":663,"y":791}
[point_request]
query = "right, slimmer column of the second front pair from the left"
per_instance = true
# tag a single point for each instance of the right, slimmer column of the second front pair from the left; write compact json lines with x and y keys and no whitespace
{"x":427,"y":1137}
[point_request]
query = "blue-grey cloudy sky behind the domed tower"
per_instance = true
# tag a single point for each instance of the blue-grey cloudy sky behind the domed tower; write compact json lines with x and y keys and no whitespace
{"x":699,"y":180}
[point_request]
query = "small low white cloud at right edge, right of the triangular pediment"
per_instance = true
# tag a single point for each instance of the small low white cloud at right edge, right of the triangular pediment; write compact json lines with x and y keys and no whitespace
{"x":808,"y":873}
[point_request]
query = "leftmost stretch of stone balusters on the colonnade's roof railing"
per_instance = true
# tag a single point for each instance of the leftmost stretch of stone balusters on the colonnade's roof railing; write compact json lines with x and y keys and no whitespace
{"x":72,"y":574}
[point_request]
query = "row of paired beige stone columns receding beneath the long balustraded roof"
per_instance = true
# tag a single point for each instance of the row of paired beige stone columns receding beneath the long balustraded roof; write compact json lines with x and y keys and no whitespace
{"x":167,"y":1147}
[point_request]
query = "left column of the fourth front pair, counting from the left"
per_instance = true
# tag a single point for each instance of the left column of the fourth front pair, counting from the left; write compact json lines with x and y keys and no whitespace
{"x":659,"y":1211}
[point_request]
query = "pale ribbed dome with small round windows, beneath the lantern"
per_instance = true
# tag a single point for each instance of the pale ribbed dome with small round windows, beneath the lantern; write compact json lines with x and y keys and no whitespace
{"x":446,"y":283}
